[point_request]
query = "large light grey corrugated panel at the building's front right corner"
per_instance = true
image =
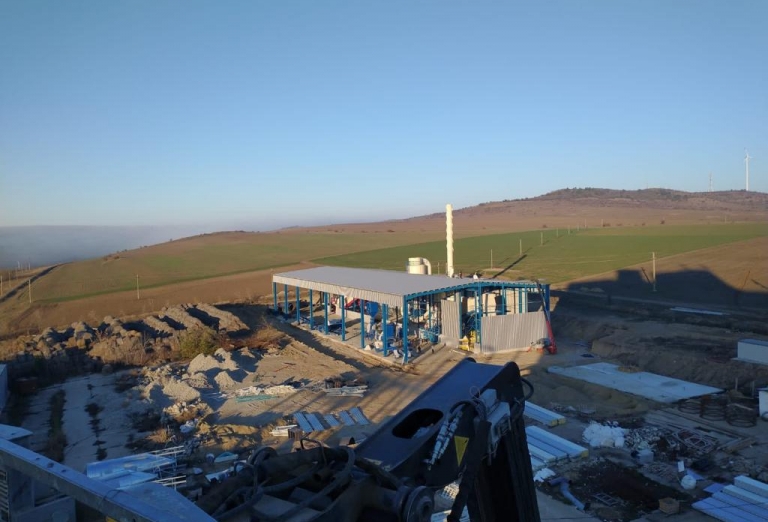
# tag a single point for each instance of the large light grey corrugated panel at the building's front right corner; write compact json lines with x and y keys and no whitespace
{"x":502,"y":333}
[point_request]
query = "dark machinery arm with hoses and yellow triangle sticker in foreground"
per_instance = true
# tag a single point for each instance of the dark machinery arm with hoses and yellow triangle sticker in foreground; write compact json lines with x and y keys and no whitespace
{"x":468,"y":426}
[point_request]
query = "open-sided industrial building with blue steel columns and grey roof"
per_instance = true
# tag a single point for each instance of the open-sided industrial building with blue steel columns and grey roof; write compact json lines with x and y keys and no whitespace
{"x":497,"y":315}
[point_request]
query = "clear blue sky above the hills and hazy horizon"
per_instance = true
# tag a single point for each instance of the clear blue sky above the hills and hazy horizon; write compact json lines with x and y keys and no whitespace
{"x":261,"y":113}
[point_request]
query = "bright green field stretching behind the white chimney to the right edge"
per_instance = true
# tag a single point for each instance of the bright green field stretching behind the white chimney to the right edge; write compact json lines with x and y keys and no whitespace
{"x":562,"y":257}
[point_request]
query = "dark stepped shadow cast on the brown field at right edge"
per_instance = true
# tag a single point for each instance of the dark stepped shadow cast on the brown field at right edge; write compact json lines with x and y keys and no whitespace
{"x":690,"y":286}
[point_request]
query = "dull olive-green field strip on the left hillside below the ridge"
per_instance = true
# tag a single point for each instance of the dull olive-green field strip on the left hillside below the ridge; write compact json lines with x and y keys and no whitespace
{"x":201,"y":257}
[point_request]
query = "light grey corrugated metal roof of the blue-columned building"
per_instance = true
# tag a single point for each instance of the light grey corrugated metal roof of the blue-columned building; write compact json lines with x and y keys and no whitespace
{"x":380,"y":286}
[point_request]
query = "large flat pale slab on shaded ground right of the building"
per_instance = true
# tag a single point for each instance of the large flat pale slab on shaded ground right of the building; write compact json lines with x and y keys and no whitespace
{"x":644,"y":384}
